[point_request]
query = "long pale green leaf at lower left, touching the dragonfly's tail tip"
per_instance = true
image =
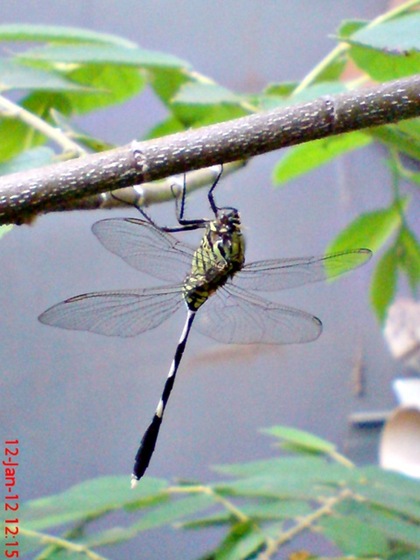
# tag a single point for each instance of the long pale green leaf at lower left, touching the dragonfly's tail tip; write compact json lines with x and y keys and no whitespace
{"x":90,"y":498}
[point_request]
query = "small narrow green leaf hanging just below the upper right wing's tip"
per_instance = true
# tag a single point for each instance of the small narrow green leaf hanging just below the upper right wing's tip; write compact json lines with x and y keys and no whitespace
{"x":384,"y":283}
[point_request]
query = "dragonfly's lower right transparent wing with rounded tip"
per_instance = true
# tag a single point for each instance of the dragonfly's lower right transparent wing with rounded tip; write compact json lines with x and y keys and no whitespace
{"x":234,"y":316}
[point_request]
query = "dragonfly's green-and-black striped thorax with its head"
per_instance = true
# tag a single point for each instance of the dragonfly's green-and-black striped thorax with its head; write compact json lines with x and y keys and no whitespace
{"x":221,"y":254}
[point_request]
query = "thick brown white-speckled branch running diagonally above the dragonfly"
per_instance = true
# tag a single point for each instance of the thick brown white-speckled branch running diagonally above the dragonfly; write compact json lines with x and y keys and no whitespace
{"x":25,"y":194}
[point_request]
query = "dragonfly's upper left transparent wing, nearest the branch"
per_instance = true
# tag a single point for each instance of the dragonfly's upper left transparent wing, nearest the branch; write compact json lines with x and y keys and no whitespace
{"x":145,"y":247}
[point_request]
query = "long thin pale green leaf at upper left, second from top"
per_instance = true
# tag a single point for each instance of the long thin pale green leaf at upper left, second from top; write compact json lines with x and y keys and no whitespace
{"x":103,"y":54}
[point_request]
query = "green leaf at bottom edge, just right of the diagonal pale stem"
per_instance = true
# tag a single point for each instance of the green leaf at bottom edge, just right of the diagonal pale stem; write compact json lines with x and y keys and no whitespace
{"x":355,"y":537}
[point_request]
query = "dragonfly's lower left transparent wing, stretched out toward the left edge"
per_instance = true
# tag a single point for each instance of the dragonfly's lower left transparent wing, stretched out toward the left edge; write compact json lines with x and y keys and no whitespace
{"x":117,"y":313}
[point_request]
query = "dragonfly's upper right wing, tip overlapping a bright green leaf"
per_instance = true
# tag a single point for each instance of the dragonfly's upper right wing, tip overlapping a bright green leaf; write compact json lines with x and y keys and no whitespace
{"x":281,"y":274}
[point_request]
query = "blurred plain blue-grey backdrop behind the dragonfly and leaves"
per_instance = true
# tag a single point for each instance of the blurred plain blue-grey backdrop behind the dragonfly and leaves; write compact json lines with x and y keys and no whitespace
{"x":79,"y":402}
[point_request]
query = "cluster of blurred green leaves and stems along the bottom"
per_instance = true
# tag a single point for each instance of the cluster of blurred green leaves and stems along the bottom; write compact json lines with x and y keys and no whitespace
{"x":259,"y":508}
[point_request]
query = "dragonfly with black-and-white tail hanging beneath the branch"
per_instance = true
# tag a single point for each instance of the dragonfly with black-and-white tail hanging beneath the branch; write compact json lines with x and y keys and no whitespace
{"x":213,"y":283}
